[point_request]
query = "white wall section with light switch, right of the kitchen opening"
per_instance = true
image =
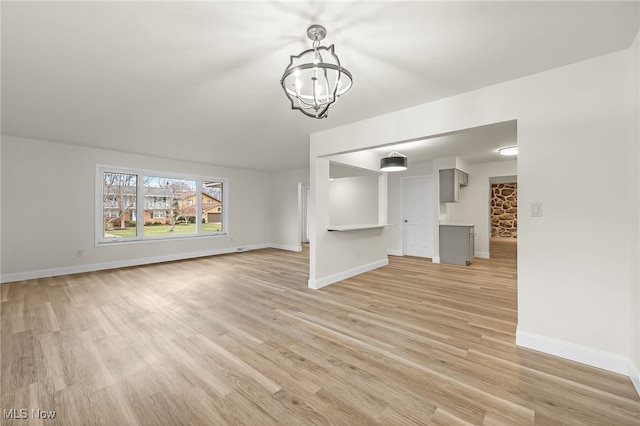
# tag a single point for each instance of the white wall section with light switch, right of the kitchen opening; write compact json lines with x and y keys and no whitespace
{"x":574,"y":261}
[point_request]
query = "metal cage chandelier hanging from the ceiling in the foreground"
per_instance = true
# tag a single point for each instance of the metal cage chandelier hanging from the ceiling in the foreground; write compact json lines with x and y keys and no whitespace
{"x":314,"y":79}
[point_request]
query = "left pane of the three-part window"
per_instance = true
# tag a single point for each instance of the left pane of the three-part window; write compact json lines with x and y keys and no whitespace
{"x":118,"y":205}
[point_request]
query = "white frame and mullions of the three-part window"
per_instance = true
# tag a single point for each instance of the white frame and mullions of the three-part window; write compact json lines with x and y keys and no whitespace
{"x":140,"y":175}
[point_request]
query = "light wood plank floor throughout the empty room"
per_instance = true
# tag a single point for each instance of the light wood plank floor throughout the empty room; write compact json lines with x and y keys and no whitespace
{"x":239,"y":339}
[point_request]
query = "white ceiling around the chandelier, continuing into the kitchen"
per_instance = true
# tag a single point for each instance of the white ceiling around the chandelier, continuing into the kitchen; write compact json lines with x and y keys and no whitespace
{"x":199,"y":81}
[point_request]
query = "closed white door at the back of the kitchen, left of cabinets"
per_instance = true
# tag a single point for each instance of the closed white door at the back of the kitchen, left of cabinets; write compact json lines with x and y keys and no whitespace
{"x":417,"y":208}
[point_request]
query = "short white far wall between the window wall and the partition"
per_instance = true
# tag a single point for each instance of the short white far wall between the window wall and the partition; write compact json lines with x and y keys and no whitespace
{"x":285,"y":213}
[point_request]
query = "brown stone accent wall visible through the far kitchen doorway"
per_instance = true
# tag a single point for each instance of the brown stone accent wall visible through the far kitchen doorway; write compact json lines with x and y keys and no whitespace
{"x":504,"y":210}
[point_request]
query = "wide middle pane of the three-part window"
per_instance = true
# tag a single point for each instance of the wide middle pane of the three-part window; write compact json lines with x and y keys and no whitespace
{"x":167,"y":210}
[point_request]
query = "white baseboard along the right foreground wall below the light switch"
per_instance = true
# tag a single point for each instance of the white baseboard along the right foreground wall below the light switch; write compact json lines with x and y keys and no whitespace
{"x":583,"y":354}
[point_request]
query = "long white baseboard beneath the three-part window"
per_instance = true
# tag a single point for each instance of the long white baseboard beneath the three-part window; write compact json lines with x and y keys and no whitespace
{"x":77,"y":269}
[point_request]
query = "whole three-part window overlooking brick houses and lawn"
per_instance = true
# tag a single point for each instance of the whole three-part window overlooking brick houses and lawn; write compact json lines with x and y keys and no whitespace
{"x":135,"y":205}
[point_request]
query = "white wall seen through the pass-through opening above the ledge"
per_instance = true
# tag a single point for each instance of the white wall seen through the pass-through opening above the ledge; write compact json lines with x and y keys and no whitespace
{"x":353,"y":200}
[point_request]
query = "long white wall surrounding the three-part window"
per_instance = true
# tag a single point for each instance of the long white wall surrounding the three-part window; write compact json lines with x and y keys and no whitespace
{"x":48,"y":210}
